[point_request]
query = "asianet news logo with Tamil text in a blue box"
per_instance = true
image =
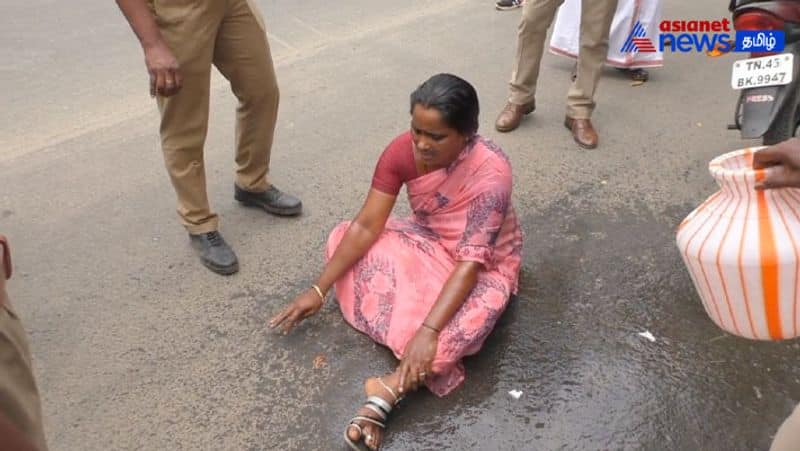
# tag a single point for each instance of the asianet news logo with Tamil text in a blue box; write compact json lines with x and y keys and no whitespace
{"x":713,"y":37}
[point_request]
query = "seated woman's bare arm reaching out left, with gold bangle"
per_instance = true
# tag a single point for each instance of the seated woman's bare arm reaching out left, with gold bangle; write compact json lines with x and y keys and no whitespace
{"x":360,"y":236}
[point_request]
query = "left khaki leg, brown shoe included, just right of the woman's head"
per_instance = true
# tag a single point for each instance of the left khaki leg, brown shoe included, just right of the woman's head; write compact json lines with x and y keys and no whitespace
{"x":537,"y":15}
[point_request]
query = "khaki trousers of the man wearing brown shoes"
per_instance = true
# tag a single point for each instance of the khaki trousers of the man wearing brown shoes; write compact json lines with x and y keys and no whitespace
{"x":537,"y":16}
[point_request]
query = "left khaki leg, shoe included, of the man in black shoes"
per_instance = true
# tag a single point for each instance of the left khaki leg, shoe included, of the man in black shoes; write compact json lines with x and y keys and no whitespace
{"x":184,"y":122}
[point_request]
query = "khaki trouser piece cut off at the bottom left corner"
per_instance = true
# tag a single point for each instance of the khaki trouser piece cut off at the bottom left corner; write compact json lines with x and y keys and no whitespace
{"x":19,"y":398}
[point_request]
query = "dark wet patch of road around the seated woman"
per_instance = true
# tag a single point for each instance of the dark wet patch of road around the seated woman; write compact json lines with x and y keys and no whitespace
{"x":591,"y":283}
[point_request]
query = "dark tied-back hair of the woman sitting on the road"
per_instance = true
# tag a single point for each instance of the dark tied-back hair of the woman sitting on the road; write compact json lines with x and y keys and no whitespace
{"x":453,"y":97}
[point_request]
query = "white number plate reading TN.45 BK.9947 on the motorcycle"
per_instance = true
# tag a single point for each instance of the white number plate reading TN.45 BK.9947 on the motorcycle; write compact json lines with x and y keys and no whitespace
{"x":770,"y":70}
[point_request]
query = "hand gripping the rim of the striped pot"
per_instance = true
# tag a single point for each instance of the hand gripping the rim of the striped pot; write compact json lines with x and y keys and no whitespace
{"x":782,"y":164}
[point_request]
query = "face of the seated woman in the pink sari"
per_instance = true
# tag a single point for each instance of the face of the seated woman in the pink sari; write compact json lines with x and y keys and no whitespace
{"x":435,"y":144}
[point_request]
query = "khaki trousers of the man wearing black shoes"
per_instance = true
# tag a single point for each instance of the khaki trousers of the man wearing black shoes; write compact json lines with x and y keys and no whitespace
{"x":229,"y":34}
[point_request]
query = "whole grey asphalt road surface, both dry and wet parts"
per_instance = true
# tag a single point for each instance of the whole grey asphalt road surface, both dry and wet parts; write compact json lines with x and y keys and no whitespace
{"x":136,"y":346}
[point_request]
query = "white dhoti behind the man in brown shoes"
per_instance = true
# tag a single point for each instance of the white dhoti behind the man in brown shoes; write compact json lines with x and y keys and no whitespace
{"x":566,"y":35}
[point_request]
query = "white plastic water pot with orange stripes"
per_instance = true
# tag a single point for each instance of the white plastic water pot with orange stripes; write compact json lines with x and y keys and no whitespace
{"x":741,"y":249}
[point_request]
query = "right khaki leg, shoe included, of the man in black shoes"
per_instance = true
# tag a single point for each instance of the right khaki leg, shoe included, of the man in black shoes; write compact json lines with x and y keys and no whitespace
{"x":243,"y":56}
